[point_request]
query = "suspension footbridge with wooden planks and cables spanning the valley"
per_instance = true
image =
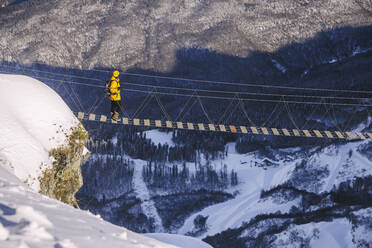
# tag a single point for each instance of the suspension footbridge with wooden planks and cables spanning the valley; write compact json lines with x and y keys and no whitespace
{"x":236,"y":99}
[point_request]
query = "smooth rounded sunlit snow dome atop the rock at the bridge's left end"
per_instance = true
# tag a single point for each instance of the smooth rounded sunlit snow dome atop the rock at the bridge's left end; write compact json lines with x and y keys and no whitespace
{"x":31,"y":114}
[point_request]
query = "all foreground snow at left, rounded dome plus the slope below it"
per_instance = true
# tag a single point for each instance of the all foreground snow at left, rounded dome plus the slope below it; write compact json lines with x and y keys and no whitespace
{"x":32,"y":116}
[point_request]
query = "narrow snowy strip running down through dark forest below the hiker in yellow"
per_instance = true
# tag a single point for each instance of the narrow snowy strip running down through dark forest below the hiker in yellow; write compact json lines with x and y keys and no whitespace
{"x":143,"y":194}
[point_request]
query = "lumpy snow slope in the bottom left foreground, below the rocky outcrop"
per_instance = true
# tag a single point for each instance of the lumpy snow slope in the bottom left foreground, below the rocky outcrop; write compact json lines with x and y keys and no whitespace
{"x":29,"y":219}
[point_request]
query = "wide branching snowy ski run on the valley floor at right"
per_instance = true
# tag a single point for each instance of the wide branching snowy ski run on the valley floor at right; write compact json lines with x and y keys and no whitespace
{"x":340,"y":163}
